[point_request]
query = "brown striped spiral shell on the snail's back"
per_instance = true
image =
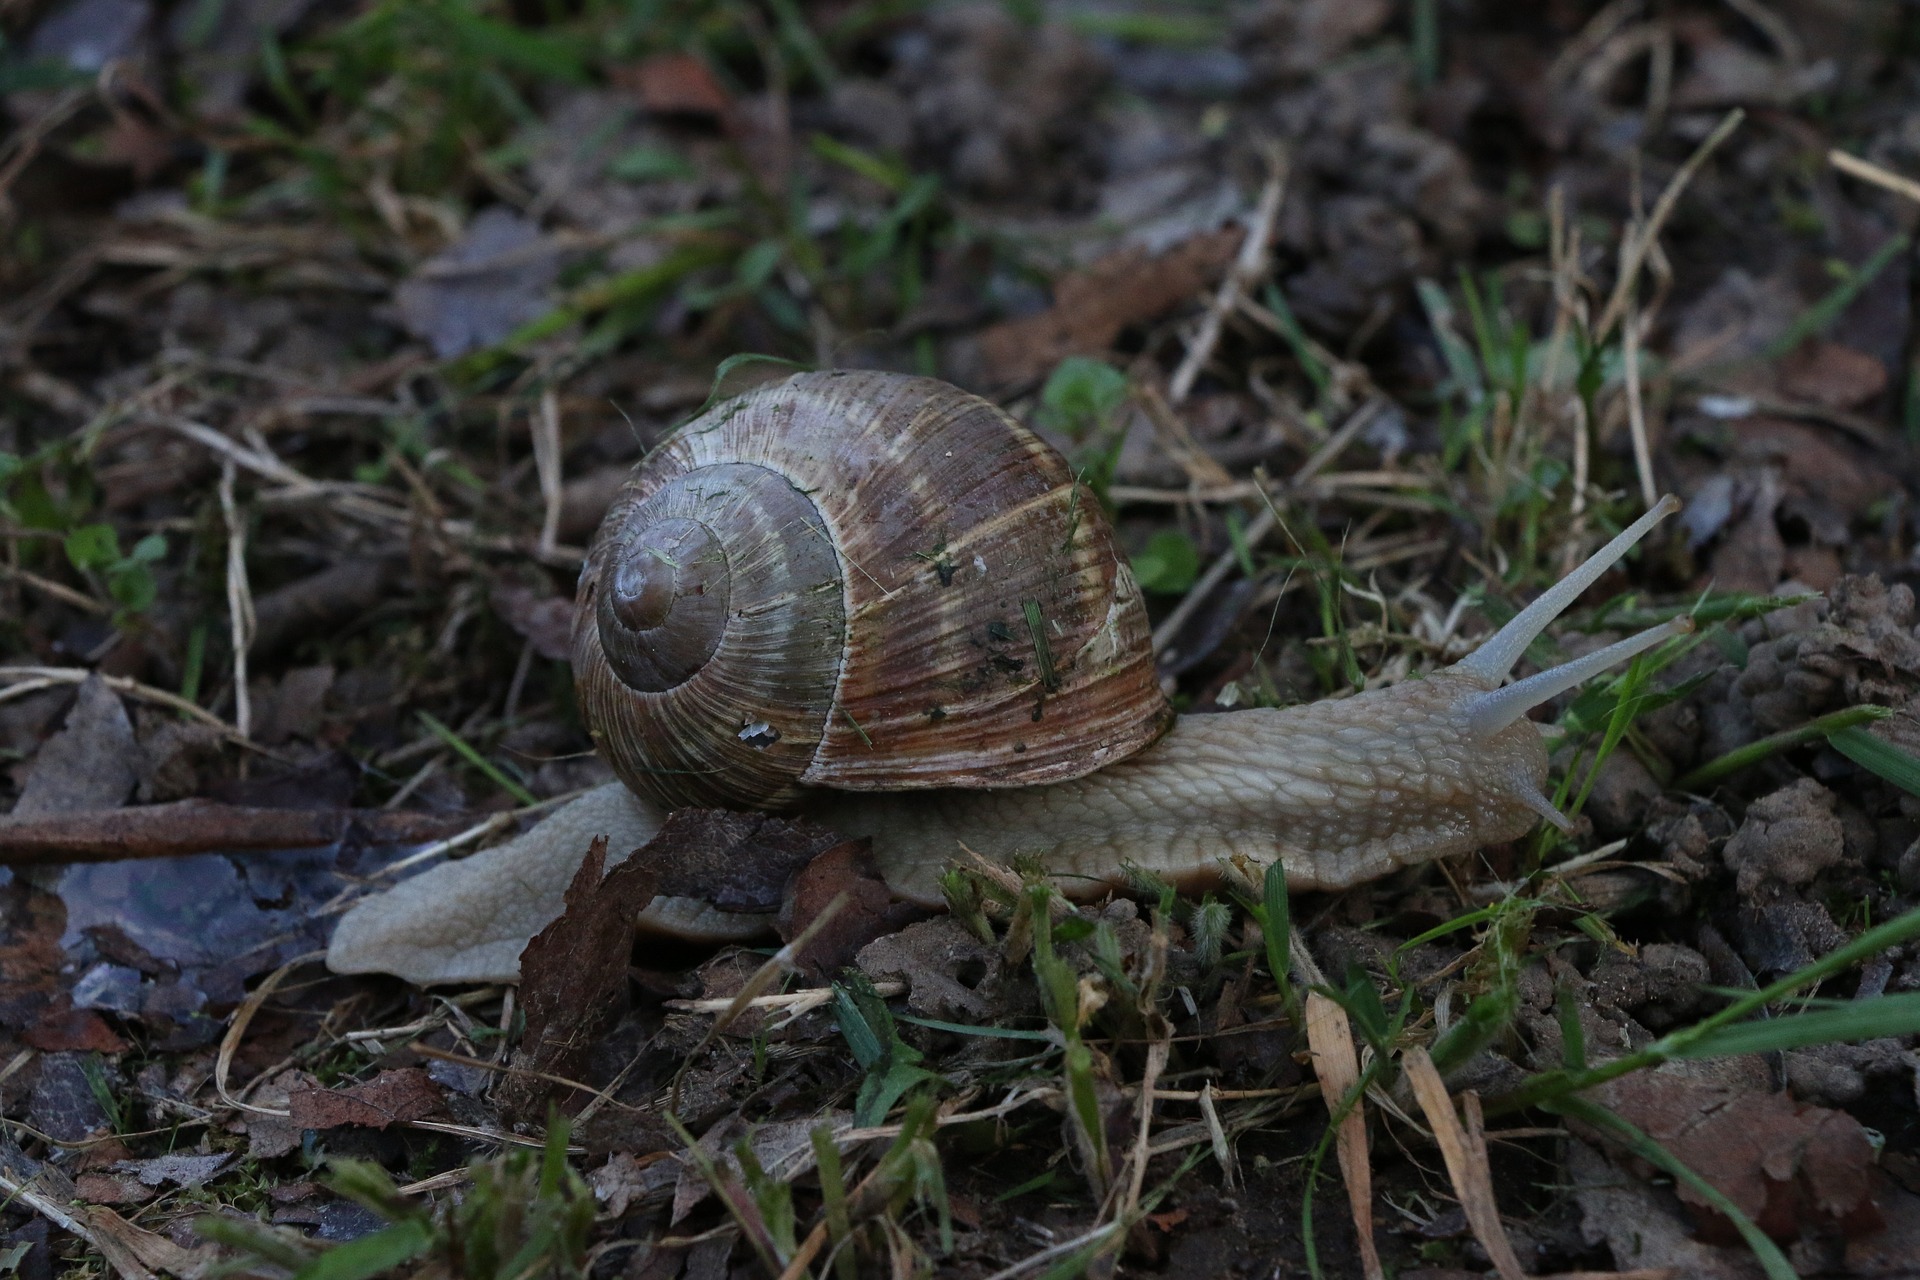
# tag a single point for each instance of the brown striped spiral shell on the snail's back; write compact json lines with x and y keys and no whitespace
{"x":859,"y":581}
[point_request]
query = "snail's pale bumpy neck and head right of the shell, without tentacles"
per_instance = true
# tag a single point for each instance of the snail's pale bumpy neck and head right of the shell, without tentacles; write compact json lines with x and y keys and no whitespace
{"x":1337,"y":792}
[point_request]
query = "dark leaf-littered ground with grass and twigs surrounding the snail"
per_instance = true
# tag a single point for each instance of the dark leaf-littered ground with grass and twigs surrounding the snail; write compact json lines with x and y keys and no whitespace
{"x":433,"y":308}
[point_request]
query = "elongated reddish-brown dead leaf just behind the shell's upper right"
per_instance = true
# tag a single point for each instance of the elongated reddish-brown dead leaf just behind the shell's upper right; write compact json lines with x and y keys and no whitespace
{"x":1093,"y":306}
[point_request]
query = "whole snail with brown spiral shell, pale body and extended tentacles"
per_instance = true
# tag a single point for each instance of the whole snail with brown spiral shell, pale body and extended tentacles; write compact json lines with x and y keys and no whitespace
{"x":882,"y":602}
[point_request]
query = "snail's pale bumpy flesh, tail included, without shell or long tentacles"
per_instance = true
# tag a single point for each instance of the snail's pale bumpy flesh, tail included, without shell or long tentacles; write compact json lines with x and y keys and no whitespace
{"x":1337,"y":792}
